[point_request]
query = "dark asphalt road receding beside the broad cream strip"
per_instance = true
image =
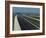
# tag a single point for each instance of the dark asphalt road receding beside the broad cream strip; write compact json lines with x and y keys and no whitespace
{"x":27,"y":23}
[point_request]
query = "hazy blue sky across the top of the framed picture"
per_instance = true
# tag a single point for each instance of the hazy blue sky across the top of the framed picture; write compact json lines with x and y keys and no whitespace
{"x":25,"y":10}
